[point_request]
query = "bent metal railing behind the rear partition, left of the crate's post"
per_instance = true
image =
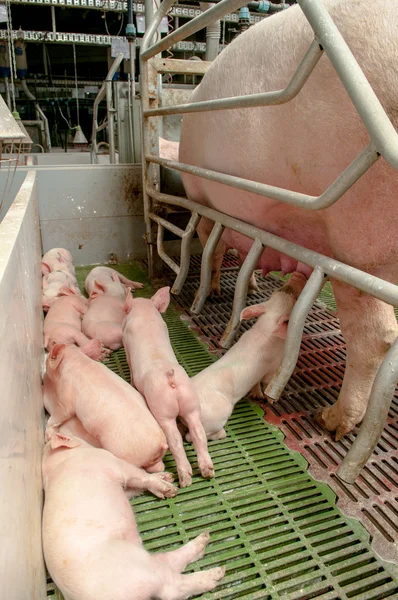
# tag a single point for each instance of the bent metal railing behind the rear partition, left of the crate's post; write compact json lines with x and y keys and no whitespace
{"x":105,"y":91}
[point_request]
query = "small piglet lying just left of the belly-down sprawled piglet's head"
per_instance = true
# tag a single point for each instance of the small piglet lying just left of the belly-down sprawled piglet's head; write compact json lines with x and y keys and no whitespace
{"x":104,"y":317}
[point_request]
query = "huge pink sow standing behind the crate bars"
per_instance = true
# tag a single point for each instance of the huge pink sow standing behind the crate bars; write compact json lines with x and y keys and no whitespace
{"x":304,"y":145}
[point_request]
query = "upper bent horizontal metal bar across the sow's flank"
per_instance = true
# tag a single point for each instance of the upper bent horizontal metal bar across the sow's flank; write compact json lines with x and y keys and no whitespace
{"x":296,"y":83}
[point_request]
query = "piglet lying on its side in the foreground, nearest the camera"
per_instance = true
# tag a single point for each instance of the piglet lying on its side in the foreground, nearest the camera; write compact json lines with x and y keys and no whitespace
{"x":91,"y":544}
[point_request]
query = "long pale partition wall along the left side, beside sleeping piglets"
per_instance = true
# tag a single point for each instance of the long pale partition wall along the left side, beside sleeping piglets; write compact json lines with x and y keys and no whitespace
{"x":22,"y":574}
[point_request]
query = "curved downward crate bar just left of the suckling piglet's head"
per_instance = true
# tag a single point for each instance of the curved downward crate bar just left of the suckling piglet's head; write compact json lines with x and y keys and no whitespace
{"x":240,"y":295}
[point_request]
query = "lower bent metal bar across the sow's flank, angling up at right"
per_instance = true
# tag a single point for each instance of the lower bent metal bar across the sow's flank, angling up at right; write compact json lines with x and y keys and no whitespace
{"x":348,"y":177}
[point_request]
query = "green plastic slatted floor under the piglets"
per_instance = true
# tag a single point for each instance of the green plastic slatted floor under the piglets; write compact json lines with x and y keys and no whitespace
{"x":275,"y":528}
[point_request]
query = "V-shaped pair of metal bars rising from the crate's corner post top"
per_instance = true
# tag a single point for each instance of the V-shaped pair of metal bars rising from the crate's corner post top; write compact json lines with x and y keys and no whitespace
{"x":200,"y":22}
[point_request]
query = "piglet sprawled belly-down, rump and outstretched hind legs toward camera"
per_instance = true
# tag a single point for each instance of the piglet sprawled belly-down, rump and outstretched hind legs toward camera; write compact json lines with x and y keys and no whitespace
{"x":164,"y":384}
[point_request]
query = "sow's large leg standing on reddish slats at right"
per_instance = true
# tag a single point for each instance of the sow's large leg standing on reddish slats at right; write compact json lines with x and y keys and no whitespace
{"x":369,"y":328}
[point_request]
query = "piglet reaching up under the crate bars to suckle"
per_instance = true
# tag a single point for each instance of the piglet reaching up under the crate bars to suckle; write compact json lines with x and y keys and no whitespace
{"x":255,"y":357}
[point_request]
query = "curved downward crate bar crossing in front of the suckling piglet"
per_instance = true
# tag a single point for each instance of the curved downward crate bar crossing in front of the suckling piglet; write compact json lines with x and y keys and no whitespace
{"x":295,"y":333}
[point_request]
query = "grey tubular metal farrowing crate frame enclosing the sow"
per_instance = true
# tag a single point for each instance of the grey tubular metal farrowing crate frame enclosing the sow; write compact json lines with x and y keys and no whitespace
{"x":384,"y":142}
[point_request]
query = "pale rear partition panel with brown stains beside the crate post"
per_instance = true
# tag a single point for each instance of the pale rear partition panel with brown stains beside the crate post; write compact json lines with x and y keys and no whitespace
{"x":91,"y":210}
